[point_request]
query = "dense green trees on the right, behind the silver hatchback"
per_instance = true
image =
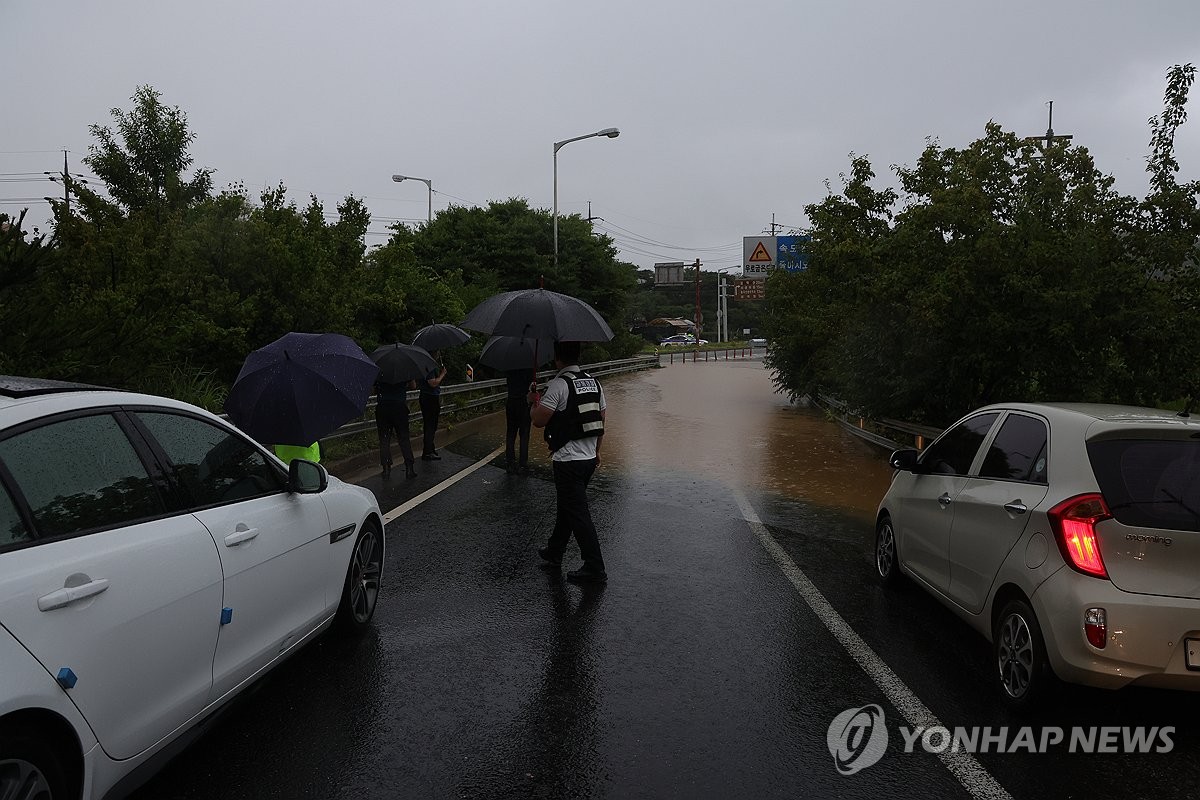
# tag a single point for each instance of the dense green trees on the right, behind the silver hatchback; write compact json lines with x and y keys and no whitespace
{"x":1009,"y":273}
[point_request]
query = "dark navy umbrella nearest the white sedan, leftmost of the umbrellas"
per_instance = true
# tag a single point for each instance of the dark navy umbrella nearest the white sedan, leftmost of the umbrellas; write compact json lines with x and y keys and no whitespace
{"x":301,"y":388}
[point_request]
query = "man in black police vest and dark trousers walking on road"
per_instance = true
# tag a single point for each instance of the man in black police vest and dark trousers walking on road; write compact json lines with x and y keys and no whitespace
{"x":573,"y":413}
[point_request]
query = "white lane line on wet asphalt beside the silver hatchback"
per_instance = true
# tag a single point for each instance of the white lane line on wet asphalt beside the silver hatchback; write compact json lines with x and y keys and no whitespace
{"x":964,"y":767}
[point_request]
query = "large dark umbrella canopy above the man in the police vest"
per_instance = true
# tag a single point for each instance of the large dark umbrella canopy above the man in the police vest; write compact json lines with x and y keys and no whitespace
{"x":541,"y":315}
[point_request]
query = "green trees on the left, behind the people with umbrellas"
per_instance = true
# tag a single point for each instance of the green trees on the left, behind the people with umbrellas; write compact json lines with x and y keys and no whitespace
{"x":158,"y":284}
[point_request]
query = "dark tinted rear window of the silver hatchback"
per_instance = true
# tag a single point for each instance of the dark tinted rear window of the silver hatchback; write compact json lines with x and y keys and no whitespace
{"x":1150,"y":483}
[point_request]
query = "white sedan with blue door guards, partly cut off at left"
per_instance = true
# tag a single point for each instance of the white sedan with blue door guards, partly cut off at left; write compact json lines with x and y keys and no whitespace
{"x":154,"y":562}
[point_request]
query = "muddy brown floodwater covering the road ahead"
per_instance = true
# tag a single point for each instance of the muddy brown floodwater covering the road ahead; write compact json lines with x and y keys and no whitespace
{"x":725,"y":423}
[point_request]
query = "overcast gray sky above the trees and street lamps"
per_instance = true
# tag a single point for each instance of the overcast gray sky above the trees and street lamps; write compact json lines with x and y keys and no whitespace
{"x":729,"y":112}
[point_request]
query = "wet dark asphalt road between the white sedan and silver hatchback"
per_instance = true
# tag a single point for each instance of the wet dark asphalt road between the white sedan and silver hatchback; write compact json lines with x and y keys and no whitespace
{"x":698,"y":672}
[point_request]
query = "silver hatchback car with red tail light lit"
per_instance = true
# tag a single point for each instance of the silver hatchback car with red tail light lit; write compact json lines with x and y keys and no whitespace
{"x":1067,"y":534}
